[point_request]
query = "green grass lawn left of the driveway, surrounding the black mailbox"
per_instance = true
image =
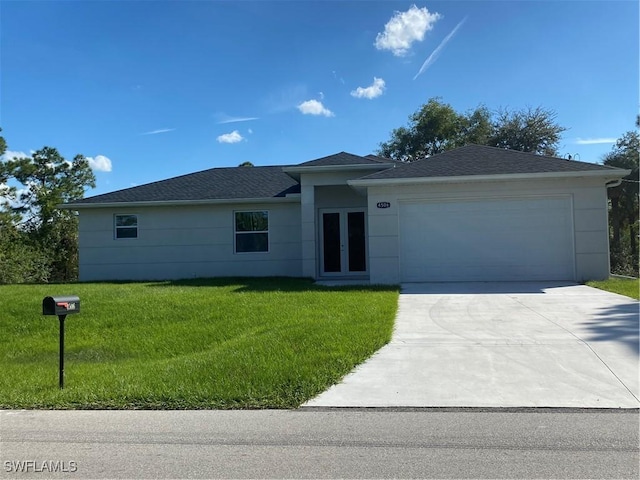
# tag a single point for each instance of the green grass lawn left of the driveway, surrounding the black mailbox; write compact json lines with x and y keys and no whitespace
{"x":218,"y":343}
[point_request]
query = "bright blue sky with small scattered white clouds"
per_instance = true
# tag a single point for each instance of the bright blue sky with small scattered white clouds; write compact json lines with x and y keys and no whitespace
{"x":153,"y":89}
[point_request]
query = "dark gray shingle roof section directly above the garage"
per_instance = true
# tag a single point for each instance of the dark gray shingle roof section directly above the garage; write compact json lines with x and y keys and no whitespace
{"x":483,"y":160}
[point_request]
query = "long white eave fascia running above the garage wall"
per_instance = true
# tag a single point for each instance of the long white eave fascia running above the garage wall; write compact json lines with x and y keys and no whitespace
{"x":605,"y":174}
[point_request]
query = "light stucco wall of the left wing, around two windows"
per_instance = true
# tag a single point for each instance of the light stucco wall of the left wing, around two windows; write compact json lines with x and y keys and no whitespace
{"x":186,"y":242}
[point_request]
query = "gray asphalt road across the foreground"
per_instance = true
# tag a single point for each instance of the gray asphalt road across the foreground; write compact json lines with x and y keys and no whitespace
{"x":379,"y":443}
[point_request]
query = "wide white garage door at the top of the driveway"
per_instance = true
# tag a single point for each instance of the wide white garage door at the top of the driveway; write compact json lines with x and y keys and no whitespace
{"x":500,"y":239}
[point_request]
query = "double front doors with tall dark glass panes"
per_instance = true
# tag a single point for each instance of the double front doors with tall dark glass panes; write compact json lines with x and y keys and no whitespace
{"x":343,"y":242}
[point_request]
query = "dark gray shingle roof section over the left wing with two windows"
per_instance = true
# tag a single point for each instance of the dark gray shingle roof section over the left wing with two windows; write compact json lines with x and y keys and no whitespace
{"x":213,"y":184}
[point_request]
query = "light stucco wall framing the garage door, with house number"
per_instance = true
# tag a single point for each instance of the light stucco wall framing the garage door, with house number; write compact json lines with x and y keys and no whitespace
{"x":589,"y":200}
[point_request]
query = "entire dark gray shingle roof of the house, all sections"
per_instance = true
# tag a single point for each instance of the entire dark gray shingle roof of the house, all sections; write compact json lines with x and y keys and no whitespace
{"x":272,"y":182}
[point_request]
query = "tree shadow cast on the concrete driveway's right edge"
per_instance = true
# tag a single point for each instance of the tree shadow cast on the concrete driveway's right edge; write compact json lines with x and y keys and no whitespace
{"x":619,"y":323}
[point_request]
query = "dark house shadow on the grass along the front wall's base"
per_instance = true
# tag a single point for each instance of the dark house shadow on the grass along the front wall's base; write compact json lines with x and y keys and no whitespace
{"x":268,"y":284}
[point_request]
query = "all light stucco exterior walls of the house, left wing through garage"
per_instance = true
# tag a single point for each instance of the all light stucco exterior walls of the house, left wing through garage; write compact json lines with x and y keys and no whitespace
{"x":198,"y":241}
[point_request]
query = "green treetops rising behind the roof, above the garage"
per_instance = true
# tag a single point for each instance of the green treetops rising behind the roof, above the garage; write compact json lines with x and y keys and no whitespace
{"x":437,"y":127}
